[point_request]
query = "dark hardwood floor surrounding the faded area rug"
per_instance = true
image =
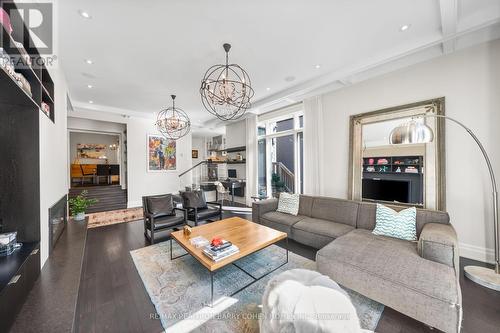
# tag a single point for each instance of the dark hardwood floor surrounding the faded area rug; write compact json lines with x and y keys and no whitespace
{"x":112,"y":297}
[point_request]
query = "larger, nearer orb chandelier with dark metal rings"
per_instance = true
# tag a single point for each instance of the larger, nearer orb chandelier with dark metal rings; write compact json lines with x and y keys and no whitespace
{"x":226,"y":90}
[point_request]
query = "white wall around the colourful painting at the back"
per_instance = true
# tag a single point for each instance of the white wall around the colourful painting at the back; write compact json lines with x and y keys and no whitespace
{"x":141,"y":182}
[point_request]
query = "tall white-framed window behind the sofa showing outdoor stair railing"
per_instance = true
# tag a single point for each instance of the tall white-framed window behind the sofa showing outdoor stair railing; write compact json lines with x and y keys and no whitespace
{"x":280,"y":154}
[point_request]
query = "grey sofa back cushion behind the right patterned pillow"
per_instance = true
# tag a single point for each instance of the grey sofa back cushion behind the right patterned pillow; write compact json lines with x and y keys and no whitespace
{"x":367,"y":213}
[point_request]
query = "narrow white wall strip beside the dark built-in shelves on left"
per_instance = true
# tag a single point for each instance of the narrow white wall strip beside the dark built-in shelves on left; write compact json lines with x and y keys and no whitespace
{"x":53,"y":158}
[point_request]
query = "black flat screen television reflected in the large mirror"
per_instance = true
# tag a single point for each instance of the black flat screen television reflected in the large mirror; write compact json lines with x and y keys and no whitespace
{"x":386,"y":190}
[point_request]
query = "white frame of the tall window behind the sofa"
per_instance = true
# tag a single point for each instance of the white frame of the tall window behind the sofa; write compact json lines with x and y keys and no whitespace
{"x":267,"y":124}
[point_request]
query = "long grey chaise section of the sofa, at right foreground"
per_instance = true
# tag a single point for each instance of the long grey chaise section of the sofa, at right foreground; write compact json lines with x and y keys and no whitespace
{"x":391,"y":272}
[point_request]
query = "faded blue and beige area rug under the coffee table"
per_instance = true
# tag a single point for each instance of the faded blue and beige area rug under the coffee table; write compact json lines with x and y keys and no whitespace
{"x":180,"y":289}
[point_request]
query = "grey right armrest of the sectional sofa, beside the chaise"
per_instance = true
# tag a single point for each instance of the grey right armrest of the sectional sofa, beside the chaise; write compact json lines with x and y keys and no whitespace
{"x":438,"y":242}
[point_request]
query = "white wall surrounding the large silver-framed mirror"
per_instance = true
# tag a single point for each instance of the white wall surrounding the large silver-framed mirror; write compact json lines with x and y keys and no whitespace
{"x":470,"y":82}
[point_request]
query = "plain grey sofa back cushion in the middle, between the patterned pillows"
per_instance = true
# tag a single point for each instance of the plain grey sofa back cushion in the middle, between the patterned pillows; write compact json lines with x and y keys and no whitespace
{"x":337,"y":210}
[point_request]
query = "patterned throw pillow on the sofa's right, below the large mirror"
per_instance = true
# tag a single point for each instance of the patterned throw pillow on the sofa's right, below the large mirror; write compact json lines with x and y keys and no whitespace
{"x":402,"y":225}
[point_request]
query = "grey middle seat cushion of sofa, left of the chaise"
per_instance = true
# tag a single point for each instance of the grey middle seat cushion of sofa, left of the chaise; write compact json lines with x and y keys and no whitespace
{"x":317,"y":232}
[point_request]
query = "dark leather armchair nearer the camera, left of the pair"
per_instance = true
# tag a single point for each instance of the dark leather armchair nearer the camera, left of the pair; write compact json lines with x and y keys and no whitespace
{"x":160,"y":213}
